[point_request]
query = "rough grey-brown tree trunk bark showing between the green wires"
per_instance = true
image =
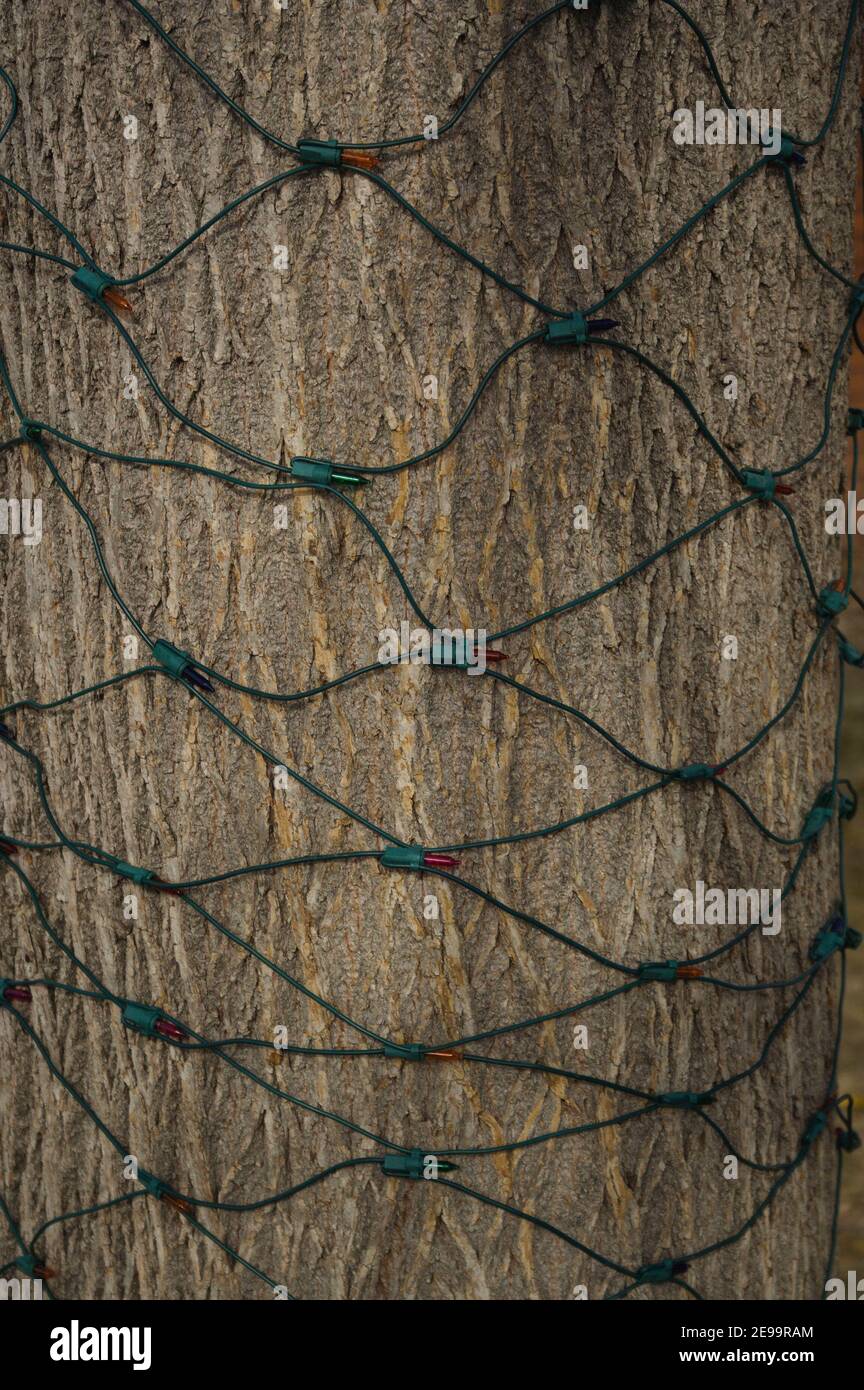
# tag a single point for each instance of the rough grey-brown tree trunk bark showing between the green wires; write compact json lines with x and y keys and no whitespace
{"x":569,"y":144}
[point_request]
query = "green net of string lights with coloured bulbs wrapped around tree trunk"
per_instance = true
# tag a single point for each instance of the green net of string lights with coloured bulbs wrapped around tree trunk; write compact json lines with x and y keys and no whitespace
{"x":560,"y":330}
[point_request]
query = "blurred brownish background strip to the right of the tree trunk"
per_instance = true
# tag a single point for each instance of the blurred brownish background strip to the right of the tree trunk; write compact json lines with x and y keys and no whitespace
{"x":851,"y":1249}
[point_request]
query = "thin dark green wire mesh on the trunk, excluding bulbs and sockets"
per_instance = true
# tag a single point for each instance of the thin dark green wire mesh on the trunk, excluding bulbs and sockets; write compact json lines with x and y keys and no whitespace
{"x":829,"y":808}
